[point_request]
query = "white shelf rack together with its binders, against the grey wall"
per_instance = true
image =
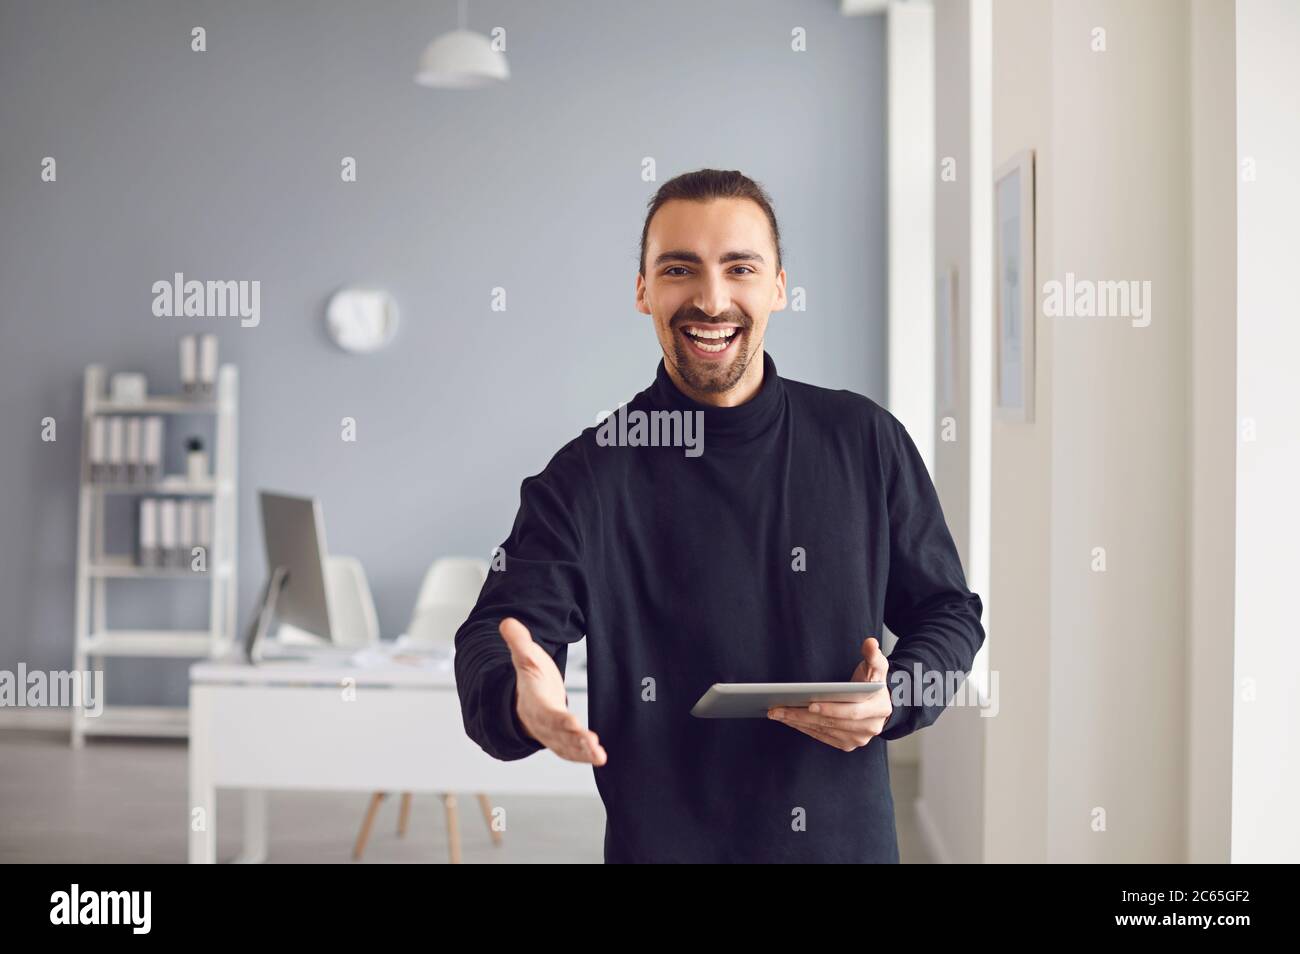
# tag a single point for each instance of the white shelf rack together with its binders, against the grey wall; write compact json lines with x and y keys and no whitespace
{"x":168,"y":527}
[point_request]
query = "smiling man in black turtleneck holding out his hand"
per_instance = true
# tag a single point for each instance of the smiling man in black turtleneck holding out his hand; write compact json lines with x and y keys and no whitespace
{"x":772,"y":550}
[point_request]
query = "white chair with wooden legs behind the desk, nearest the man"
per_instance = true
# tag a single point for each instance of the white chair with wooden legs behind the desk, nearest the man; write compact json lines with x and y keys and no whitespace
{"x":448,"y":595}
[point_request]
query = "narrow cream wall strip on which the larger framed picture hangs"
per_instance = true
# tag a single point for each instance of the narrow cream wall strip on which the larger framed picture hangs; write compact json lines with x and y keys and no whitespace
{"x":1016,"y":773}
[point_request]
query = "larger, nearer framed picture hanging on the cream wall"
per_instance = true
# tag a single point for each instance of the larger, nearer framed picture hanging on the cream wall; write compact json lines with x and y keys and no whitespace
{"x":1013,"y":289}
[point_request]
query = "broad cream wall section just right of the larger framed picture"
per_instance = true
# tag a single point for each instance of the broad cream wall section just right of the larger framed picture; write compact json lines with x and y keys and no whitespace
{"x":1120,"y":423}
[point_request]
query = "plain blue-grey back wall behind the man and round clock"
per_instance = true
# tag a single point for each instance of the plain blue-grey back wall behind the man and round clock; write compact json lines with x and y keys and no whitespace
{"x":226,"y":166}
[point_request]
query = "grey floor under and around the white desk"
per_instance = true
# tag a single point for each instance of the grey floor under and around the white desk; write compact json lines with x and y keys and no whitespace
{"x":124,"y":801}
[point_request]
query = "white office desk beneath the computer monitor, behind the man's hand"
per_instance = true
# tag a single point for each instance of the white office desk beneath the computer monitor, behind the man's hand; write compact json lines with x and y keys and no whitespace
{"x":327,"y":725}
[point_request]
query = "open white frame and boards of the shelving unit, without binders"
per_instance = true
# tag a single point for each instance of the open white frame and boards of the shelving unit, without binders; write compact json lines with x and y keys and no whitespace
{"x":96,"y":569}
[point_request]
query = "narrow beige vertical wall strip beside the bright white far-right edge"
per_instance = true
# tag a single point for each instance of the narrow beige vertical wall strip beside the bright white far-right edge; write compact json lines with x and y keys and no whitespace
{"x":1212,"y":462}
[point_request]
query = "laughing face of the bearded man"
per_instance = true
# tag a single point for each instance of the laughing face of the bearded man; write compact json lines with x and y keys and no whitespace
{"x":710,"y":285}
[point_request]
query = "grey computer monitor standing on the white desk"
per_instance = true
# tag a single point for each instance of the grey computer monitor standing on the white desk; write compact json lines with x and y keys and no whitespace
{"x":296,"y":589}
